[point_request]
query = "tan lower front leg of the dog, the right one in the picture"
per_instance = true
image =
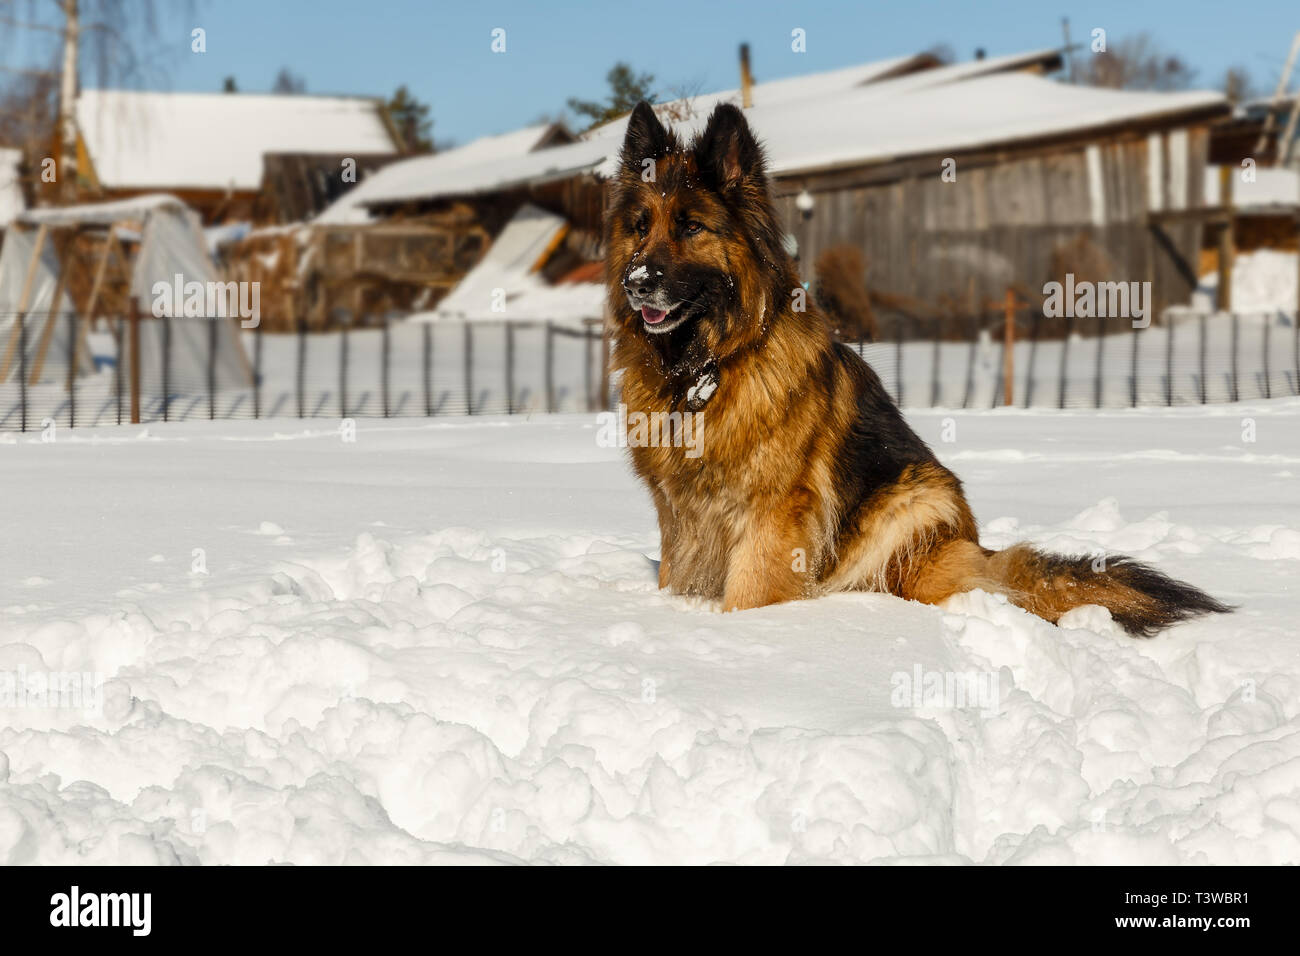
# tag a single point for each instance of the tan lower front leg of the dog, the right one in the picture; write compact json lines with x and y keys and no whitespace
{"x":769,"y":563}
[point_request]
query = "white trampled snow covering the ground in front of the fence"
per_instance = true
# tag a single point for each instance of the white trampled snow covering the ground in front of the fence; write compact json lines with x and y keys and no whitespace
{"x":443,"y":642}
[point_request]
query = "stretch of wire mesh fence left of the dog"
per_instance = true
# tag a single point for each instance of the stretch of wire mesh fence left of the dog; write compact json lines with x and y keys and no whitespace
{"x":197,"y":369}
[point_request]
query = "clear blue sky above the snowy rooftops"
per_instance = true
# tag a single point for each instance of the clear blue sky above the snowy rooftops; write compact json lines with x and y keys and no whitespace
{"x":441,"y":49}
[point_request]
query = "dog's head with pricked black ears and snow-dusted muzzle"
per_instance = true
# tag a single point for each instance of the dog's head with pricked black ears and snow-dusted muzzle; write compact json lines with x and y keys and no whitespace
{"x":695,"y":256}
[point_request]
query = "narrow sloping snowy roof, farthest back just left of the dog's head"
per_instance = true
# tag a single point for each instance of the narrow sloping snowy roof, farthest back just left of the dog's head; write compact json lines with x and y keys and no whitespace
{"x":414,"y":178}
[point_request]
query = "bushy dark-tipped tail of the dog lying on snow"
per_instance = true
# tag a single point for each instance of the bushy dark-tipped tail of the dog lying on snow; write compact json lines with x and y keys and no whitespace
{"x":1141,"y":599}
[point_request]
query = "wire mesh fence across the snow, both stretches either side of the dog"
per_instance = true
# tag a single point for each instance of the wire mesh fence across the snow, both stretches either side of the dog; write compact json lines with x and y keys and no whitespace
{"x":59,"y":369}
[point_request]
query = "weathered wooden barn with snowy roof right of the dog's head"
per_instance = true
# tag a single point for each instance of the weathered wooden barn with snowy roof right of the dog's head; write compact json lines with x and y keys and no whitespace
{"x":956,"y":191}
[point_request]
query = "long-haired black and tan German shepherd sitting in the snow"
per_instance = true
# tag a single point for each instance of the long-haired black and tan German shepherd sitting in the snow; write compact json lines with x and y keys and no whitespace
{"x":808,"y":479}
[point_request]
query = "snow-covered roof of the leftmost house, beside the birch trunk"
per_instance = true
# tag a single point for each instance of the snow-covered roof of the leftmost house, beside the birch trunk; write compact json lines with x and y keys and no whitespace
{"x":218,"y":141}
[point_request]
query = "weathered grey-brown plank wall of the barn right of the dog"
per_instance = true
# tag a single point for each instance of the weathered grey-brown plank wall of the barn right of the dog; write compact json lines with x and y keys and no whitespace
{"x":1019,"y":218}
